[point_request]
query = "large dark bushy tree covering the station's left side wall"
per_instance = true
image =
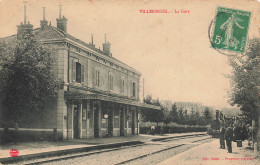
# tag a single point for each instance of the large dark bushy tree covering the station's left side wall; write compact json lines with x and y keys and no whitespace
{"x":27,"y":80}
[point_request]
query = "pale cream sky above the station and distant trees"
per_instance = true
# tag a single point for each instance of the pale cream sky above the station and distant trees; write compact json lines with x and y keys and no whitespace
{"x":172,"y":51}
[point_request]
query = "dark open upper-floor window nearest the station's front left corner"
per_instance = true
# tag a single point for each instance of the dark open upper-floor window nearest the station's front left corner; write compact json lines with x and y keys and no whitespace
{"x":77,"y":72}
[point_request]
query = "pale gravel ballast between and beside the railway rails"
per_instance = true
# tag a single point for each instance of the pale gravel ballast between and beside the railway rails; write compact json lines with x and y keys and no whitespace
{"x":114,"y":157}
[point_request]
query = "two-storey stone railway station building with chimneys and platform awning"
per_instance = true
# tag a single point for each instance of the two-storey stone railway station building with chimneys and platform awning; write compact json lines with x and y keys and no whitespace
{"x":100,"y":95}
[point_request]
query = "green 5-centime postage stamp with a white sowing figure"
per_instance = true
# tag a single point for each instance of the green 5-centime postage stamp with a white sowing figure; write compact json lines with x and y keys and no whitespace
{"x":231,"y":28}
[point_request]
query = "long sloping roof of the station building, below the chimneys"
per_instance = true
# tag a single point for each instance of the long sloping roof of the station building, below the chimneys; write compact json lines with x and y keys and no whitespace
{"x":50,"y":32}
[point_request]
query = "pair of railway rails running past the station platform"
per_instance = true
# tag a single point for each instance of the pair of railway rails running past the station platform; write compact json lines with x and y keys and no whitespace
{"x":49,"y":160}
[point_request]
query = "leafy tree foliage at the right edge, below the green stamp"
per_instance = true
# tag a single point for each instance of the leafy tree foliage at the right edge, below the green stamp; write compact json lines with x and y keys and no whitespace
{"x":245,"y":80}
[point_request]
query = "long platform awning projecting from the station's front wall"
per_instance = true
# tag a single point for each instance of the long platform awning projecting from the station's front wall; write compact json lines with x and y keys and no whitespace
{"x":80,"y":96}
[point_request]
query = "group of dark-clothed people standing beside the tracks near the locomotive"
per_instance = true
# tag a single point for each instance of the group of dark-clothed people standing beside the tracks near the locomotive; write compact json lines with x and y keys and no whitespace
{"x":232,"y":133}
